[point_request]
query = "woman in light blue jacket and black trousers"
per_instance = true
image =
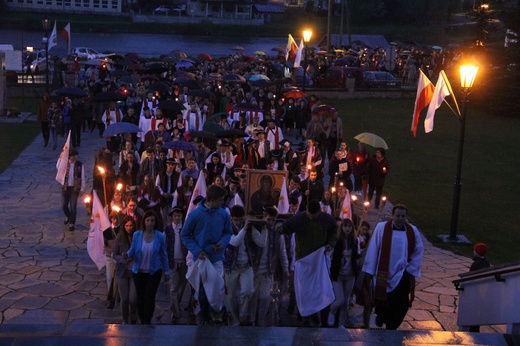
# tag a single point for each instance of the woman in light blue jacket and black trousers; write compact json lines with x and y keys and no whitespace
{"x":150,"y":261}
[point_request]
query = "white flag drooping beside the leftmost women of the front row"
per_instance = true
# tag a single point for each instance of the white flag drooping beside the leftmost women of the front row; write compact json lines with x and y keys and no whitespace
{"x":98,"y":223}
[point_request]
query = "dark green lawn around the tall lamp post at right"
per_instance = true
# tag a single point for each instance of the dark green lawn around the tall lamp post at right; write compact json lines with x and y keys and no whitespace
{"x":423,"y":171}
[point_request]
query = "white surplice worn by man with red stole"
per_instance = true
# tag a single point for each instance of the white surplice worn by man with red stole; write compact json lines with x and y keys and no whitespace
{"x":398,"y":255}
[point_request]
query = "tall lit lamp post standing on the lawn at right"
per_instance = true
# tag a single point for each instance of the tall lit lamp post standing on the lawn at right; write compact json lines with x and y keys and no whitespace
{"x":467,"y":77}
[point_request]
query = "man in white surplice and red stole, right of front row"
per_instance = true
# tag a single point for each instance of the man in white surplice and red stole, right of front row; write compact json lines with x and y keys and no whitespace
{"x":392,"y":262}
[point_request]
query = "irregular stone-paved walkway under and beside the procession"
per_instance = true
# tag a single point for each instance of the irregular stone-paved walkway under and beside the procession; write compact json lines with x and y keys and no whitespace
{"x":47,"y":276}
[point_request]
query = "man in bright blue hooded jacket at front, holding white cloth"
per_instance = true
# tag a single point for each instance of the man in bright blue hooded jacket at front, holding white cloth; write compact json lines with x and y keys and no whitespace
{"x":206,"y":233}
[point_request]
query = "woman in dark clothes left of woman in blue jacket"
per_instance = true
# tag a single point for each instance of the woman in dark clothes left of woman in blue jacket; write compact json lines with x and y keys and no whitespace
{"x":125,"y":281}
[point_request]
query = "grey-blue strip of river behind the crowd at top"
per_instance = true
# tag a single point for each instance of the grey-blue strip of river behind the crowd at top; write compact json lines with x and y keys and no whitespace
{"x":147,"y":45}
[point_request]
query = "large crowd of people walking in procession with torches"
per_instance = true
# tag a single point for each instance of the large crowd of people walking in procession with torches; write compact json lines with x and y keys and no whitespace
{"x":239,"y":262}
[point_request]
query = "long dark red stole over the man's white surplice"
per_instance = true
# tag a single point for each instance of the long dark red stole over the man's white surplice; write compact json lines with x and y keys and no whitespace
{"x":384,"y":259}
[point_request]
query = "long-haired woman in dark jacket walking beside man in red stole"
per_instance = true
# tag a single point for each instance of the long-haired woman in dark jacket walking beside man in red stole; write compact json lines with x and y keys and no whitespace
{"x":343,"y":271}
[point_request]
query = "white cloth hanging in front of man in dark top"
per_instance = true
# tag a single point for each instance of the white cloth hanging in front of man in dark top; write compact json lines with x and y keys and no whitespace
{"x":313,"y":271}
